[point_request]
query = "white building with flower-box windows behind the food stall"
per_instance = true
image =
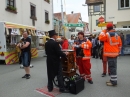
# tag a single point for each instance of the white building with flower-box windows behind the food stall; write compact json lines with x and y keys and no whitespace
{"x":36,"y":13}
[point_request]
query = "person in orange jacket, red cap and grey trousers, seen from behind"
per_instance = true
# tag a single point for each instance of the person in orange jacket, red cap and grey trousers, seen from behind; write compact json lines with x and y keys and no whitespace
{"x":112,"y":47}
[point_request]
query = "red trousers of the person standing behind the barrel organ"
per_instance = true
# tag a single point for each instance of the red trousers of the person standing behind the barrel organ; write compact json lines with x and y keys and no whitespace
{"x":84,"y":68}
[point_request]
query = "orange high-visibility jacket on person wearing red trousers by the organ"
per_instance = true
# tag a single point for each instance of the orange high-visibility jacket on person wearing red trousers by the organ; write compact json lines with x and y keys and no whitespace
{"x":86,"y":49}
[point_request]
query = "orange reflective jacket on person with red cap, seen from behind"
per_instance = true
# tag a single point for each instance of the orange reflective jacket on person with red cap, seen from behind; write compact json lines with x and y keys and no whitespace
{"x":112,"y":43}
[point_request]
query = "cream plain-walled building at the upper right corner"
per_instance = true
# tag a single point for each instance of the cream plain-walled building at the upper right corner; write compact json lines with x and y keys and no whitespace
{"x":118,"y":12}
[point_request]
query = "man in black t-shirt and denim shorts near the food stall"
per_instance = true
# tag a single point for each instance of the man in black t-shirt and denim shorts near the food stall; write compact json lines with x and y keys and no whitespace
{"x":26,"y":54}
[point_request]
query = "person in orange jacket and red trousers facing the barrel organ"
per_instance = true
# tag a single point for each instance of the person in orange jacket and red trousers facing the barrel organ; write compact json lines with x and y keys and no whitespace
{"x":83,"y":54}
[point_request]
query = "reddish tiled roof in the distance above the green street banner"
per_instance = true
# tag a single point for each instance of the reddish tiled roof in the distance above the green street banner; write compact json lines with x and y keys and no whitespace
{"x":73,"y":18}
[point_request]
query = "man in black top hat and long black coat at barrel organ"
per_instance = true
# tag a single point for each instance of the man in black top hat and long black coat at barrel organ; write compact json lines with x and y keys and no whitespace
{"x":54,"y":67}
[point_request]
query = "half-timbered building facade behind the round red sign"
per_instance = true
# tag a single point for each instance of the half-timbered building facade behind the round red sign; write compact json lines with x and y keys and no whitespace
{"x":96,"y":9}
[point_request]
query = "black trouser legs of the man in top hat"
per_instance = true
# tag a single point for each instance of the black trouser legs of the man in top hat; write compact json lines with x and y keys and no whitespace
{"x":60,"y":80}
